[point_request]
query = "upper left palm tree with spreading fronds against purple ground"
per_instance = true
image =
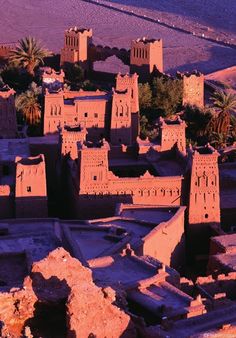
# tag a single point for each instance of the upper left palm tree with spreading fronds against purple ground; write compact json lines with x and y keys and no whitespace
{"x":28,"y":54}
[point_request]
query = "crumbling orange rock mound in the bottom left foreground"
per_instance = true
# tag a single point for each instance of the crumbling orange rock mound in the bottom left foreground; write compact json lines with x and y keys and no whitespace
{"x":63,"y":289}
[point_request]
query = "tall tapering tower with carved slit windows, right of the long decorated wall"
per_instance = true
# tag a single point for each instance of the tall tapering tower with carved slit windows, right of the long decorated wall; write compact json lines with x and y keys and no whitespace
{"x":204,"y":204}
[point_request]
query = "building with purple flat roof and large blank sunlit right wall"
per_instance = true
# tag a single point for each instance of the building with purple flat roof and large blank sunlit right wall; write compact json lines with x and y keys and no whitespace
{"x":150,"y":230}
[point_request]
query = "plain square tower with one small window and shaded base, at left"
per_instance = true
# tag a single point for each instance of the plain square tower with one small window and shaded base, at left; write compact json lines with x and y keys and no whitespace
{"x":30,"y":187}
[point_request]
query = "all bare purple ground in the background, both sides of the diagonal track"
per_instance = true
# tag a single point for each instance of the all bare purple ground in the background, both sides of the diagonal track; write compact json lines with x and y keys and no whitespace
{"x":47,"y":20}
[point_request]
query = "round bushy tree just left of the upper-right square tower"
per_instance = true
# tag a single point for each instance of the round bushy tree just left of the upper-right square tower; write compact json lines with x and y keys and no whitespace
{"x":167,"y":95}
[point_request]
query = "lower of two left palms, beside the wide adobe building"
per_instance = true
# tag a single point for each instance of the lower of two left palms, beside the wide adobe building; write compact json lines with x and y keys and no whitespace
{"x":28,"y":104}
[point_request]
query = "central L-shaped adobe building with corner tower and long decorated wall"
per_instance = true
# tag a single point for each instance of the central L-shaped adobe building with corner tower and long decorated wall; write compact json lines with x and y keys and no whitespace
{"x":94,"y":187}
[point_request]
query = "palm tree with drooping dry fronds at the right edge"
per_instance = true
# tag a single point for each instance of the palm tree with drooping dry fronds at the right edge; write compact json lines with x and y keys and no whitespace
{"x":225,"y":103}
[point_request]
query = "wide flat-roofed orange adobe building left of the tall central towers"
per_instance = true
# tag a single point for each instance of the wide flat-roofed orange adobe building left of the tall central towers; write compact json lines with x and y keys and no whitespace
{"x":89,"y":109}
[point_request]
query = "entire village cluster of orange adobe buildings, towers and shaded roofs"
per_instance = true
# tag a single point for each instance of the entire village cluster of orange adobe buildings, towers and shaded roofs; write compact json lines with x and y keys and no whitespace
{"x":129,"y":210}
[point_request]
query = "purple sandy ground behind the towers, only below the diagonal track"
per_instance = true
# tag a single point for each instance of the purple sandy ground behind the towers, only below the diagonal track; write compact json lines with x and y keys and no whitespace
{"x":47,"y":19}
